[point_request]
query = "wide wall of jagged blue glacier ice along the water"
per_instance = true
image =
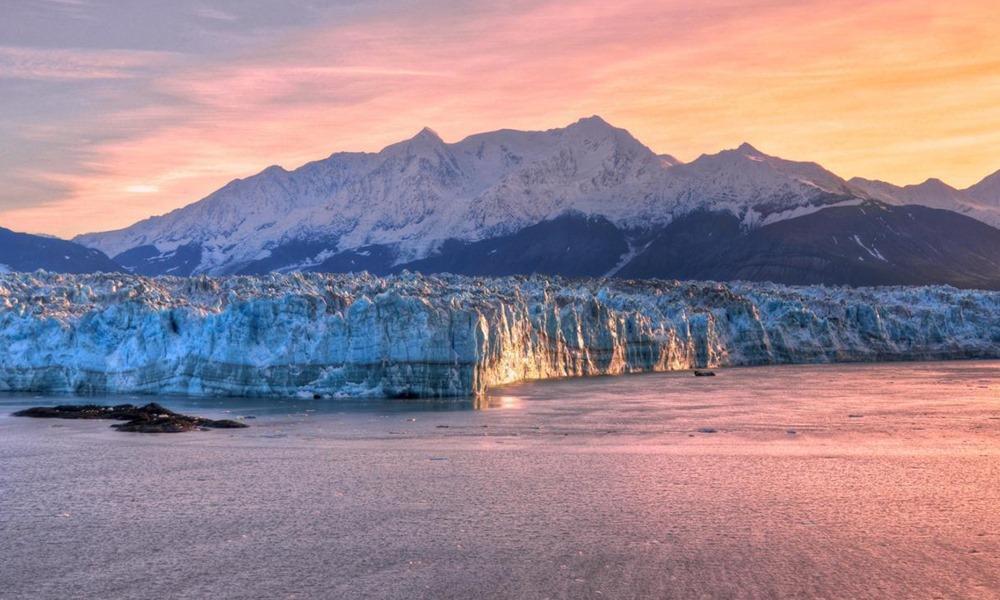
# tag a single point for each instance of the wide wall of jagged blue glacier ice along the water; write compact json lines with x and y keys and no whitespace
{"x":417,"y":336}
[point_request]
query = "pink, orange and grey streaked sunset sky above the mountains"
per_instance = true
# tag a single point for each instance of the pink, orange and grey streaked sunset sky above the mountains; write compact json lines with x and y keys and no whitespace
{"x":115,"y":110}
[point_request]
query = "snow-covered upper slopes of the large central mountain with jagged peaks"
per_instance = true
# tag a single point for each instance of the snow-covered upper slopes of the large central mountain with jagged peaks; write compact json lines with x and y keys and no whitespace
{"x":413,"y":195}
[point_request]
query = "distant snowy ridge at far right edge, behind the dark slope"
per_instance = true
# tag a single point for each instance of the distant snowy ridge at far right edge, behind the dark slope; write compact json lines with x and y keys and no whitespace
{"x":935,"y":193}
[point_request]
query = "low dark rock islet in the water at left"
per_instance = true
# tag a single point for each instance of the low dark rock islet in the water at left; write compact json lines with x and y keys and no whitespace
{"x":151,"y":418}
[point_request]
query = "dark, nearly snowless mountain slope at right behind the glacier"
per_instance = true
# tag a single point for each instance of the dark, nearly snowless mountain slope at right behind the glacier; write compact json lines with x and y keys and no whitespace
{"x":870,"y":244}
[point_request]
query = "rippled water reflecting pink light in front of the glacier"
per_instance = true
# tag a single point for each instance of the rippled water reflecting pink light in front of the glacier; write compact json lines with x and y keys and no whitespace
{"x":837,"y":481}
